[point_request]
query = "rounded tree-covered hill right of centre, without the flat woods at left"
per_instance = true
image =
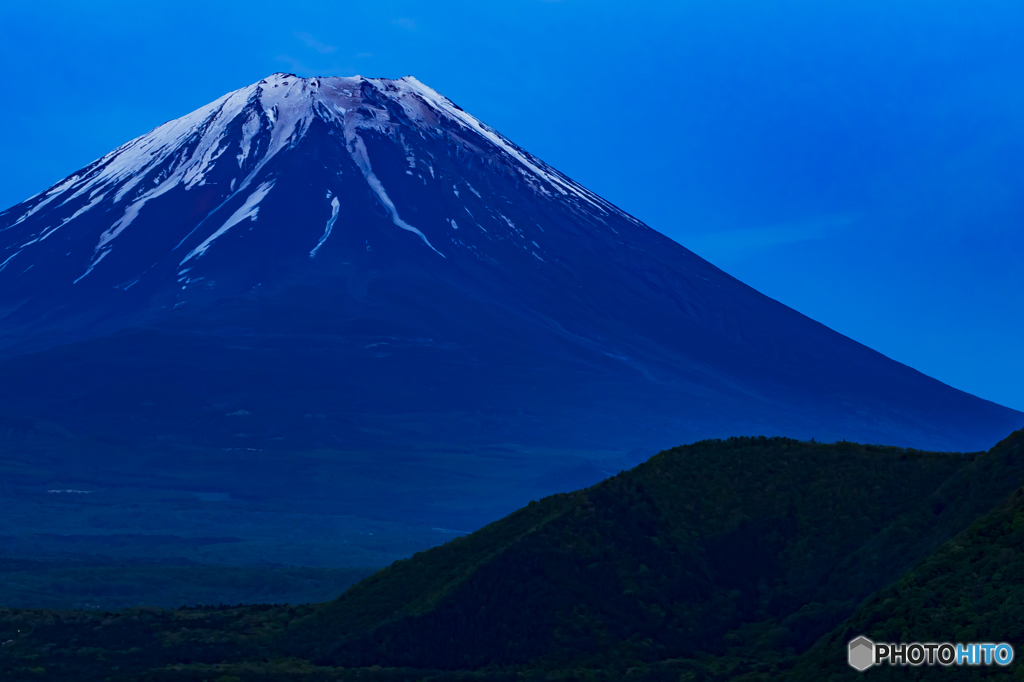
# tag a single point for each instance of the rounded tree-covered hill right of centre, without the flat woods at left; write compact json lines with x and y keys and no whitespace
{"x":657,"y":563}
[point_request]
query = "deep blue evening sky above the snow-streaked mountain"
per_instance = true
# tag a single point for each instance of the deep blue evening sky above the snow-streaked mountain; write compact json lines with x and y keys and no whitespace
{"x":862,"y":161}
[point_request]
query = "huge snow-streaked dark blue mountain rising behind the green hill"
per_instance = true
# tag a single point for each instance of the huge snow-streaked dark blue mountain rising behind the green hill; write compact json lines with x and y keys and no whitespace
{"x":338,"y":266}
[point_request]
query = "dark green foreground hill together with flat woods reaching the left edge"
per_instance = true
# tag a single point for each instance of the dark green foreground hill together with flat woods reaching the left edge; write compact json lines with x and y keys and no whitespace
{"x":717,"y":561}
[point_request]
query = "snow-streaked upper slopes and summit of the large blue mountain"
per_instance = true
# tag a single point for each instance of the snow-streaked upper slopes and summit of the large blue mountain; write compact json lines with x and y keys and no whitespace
{"x":167,"y":200}
